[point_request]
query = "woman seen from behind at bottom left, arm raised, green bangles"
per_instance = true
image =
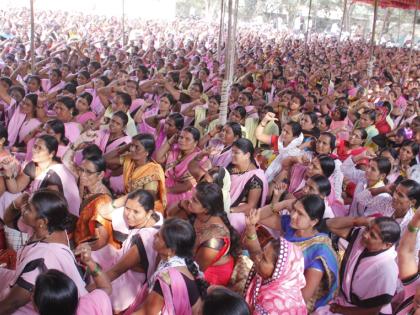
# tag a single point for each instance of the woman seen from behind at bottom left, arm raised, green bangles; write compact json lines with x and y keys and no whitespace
{"x":57,"y":293}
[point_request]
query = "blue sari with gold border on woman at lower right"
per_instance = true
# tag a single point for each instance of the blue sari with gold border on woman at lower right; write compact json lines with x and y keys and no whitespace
{"x":318,"y":254}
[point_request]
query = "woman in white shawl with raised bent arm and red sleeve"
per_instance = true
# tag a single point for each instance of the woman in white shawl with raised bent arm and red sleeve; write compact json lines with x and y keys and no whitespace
{"x":287,"y":144}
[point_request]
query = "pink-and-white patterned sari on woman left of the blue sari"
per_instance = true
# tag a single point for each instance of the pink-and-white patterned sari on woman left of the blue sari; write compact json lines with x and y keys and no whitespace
{"x":281,"y":294}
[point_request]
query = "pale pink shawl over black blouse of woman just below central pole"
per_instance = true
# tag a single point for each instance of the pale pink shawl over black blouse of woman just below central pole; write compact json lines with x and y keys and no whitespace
{"x":238,"y":183}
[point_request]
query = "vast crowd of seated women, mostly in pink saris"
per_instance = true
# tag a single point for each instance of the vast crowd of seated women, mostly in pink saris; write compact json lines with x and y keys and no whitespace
{"x":122,"y":193}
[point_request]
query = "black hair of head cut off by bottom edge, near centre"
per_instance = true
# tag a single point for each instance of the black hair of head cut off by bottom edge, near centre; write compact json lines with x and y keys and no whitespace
{"x":222,"y":301}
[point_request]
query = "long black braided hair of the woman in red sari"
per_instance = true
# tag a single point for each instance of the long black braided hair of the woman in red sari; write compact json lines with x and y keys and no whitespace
{"x":210,"y":196}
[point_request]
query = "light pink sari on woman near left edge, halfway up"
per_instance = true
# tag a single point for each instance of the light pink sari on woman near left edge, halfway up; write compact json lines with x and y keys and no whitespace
{"x":18,"y":128}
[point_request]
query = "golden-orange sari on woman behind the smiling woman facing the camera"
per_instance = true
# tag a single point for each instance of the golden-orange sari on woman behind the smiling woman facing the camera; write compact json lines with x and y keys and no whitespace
{"x":139,"y":177}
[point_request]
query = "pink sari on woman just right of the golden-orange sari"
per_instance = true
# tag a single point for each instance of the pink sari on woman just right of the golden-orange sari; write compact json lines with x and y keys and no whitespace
{"x":176,"y":171}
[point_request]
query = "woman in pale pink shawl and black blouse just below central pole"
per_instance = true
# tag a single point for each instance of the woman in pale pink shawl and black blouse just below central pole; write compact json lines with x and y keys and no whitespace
{"x":248,"y":183}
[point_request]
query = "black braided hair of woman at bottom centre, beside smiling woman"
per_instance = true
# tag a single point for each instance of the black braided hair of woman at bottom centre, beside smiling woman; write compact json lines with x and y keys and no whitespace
{"x":179,"y":235}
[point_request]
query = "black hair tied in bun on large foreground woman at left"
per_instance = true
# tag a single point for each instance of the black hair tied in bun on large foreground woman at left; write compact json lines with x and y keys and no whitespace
{"x":52,"y":206}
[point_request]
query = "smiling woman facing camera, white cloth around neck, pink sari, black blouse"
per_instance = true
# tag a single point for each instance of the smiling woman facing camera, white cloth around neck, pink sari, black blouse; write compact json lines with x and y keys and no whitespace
{"x":132,"y":265}
